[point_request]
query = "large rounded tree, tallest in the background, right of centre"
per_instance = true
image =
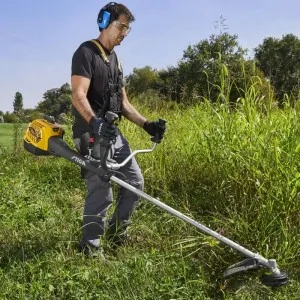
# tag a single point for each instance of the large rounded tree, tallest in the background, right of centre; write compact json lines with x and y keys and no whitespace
{"x":206,"y":65}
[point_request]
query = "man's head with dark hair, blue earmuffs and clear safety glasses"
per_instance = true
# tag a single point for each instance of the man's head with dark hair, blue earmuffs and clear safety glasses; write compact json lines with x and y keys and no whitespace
{"x":114,"y":20}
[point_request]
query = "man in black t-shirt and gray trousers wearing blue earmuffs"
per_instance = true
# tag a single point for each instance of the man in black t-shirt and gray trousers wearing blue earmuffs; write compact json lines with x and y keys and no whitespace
{"x":97,"y":87}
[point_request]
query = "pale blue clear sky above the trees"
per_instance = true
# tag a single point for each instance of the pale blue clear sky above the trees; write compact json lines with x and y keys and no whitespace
{"x":38,"y":38}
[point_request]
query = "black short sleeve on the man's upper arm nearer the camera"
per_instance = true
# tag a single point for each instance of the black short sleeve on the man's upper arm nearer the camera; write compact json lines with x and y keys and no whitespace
{"x":82,"y":62}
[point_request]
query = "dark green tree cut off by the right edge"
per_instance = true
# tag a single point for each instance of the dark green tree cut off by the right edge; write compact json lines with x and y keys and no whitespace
{"x":279,"y":59}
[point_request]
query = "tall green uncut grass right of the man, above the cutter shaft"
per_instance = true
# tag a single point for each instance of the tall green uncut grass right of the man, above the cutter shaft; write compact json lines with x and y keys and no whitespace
{"x":242,"y":163}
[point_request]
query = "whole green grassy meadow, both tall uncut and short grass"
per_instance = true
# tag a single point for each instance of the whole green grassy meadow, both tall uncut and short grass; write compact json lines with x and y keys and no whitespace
{"x":234,"y":170}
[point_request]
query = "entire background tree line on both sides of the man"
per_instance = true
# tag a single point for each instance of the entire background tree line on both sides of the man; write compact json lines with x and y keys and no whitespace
{"x":216,"y":69}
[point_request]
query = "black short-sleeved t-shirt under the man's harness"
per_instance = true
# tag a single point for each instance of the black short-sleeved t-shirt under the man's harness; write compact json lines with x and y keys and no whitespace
{"x":87,"y":62}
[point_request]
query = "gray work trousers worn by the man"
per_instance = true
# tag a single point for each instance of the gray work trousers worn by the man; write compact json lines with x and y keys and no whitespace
{"x":100,"y":197}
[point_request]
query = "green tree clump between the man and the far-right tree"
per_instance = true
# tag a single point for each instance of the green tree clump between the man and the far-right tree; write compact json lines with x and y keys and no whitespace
{"x":214,"y":69}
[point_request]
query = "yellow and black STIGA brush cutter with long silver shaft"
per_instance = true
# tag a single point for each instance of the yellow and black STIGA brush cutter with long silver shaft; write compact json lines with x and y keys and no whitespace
{"x":45,"y":137}
